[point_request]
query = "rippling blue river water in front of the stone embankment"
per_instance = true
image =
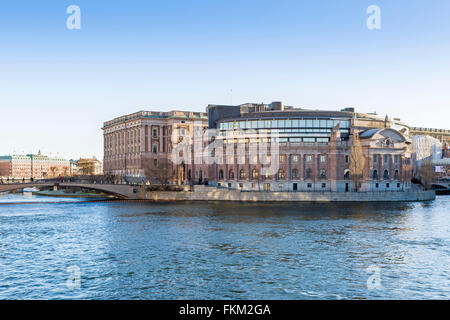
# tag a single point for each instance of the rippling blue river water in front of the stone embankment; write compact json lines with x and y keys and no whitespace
{"x":198,"y":250}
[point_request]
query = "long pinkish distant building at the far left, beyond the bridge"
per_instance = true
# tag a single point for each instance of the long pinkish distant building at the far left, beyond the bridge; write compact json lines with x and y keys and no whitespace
{"x":35,"y":166}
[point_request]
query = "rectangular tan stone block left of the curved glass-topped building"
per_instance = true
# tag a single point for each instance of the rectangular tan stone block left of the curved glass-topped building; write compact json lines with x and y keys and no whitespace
{"x":146,"y":139}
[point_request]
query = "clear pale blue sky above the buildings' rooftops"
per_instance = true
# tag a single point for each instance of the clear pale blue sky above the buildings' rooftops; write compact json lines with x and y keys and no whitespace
{"x":58,"y":86}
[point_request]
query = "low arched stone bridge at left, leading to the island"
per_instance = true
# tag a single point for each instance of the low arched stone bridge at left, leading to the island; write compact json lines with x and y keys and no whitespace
{"x":120,"y":190}
